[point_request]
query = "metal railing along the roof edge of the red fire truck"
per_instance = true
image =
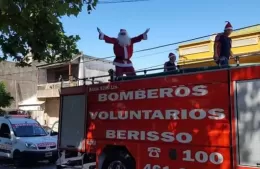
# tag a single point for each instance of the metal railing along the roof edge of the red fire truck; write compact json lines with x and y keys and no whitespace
{"x":145,"y":74}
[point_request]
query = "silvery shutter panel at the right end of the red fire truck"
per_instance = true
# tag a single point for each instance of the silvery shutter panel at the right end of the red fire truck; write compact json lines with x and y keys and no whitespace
{"x":248,"y":122}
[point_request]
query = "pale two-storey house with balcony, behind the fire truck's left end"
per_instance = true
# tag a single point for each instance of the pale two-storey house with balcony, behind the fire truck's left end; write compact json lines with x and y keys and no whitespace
{"x":49,"y":82}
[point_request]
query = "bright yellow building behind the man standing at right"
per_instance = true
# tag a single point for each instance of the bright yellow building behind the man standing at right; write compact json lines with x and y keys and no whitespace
{"x":245,"y":43}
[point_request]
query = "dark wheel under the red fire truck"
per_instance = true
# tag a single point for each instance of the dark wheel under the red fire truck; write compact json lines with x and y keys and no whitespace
{"x":118,"y":161}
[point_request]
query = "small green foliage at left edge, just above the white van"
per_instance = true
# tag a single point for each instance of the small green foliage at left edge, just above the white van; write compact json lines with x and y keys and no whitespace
{"x":5,"y":97}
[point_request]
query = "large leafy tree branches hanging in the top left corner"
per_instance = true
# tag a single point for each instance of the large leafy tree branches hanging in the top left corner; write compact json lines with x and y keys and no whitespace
{"x":34,"y":27}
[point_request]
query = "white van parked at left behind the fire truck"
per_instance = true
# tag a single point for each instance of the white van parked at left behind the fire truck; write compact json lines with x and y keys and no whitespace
{"x":23,"y":140}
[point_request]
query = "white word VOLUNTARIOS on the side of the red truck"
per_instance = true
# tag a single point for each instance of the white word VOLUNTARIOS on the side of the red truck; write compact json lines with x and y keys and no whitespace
{"x":172,"y":114}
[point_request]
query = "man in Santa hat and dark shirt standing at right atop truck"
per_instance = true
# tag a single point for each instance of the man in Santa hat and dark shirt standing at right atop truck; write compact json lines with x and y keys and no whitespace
{"x":222,"y":46}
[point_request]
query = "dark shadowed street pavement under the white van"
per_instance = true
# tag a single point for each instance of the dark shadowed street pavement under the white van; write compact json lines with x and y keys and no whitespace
{"x":9,"y":165}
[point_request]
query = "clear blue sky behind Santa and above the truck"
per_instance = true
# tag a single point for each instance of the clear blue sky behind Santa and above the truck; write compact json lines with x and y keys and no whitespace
{"x":169,"y":21}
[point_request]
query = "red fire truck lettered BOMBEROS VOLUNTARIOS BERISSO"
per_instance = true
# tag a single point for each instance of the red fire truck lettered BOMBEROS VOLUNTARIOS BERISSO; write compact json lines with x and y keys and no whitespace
{"x":200,"y":118}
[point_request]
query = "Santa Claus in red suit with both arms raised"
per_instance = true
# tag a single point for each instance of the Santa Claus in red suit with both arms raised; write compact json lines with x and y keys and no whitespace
{"x":123,"y":50}
